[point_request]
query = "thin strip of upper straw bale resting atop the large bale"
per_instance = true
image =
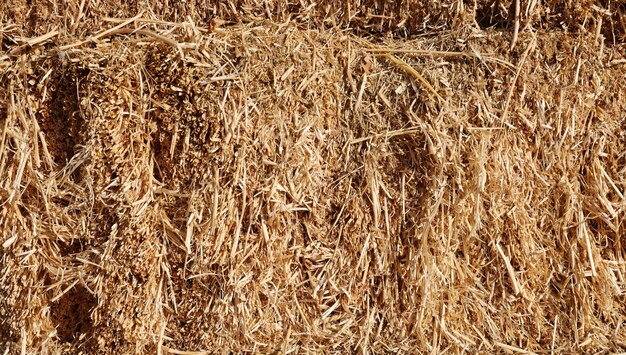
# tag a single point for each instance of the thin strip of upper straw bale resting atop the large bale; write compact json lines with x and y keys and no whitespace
{"x":80,"y":17}
